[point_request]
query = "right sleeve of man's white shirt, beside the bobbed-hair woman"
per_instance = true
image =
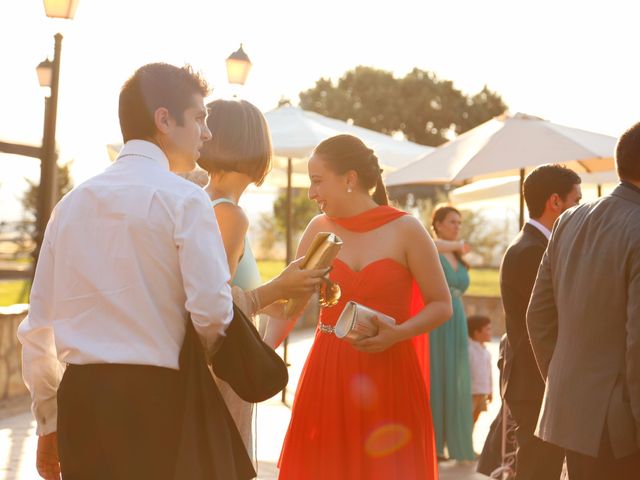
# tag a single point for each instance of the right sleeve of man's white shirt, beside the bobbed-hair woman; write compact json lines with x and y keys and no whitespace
{"x":204,"y":268}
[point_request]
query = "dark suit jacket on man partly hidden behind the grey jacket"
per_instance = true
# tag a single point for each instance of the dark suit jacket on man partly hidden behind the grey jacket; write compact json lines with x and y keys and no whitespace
{"x":522,"y":378}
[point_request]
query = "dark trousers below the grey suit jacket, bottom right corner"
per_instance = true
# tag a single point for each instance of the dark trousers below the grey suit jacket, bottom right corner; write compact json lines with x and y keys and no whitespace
{"x":605,"y":466}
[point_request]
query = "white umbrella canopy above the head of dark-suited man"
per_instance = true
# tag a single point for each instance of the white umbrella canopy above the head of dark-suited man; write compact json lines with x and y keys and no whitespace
{"x":505,"y":145}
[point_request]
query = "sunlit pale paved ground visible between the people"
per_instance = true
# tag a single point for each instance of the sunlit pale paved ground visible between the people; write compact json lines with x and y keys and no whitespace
{"x":18,"y":441}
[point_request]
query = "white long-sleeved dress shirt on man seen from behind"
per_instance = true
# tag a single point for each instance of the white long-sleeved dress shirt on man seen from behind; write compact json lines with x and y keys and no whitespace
{"x":125,"y":256}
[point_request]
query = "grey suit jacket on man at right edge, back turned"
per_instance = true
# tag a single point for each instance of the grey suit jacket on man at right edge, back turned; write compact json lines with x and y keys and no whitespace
{"x":584,"y":324}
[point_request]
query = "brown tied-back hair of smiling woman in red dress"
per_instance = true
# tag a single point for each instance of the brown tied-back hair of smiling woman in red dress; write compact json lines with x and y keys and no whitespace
{"x":346,"y":152}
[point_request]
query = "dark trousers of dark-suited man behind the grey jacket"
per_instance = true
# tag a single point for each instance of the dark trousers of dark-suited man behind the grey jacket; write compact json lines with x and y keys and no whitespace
{"x":535,"y":459}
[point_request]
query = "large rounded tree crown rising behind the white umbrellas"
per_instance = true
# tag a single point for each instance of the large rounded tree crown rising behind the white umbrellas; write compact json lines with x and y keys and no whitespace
{"x":425,"y":108}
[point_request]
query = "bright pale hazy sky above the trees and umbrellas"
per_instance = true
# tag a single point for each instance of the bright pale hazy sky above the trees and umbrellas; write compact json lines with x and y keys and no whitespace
{"x":571,"y":62}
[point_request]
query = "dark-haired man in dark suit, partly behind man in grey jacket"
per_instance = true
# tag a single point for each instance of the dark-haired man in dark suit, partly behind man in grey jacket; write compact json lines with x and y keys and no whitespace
{"x":548,"y":190}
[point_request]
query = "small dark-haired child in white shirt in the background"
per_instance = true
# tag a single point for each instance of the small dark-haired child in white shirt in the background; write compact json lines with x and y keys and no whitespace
{"x":480,"y":363}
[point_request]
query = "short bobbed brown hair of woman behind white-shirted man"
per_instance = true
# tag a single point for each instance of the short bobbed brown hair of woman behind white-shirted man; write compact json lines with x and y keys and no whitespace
{"x":240,"y":141}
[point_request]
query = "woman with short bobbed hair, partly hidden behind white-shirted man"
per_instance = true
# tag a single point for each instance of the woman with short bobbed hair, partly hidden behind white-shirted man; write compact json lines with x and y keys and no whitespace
{"x":238,"y":155}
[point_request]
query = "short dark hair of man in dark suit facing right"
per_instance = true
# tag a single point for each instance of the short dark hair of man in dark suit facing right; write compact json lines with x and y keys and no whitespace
{"x":543,"y":182}
